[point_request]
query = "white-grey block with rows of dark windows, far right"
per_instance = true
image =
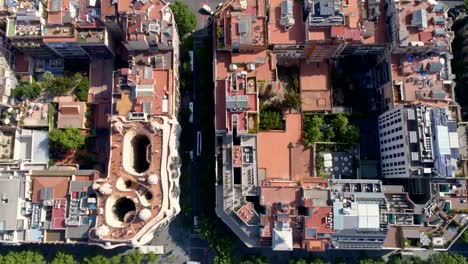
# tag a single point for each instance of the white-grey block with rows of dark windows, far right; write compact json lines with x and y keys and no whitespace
{"x":418,"y":141}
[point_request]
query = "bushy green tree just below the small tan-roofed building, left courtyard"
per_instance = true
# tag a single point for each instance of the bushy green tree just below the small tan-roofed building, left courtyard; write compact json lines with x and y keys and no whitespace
{"x":67,"y":139}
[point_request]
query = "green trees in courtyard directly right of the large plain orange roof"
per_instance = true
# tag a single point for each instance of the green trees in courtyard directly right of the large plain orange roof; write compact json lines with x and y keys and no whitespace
{"x":329,"y":128}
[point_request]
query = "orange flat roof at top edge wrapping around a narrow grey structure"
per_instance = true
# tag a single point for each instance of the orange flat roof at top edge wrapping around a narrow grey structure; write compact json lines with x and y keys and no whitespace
{"x":276,"y":33}
